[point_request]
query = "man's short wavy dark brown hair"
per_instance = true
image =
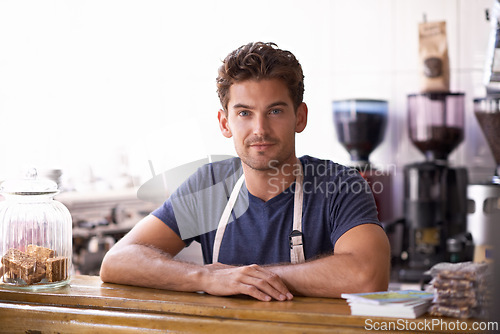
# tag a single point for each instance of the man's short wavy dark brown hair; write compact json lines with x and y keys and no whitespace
{"x":260,"y":61}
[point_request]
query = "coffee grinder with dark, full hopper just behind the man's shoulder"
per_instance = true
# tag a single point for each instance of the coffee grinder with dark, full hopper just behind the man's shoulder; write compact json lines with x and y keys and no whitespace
{"x":360,"y":125}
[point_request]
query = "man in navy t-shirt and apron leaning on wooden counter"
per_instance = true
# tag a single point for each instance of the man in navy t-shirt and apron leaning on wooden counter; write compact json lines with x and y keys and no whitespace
{"x":290,"y":226}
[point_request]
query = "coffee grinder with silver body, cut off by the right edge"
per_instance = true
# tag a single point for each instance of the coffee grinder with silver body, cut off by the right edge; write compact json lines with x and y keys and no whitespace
{"x":484,"y":198}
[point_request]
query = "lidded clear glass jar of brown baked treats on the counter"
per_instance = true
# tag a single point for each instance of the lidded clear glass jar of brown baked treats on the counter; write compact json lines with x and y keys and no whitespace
{"x":36,"y":235}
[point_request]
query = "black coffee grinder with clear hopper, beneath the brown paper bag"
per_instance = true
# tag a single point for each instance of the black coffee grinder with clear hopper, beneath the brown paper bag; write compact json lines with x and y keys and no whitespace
{"x":434,"y":192}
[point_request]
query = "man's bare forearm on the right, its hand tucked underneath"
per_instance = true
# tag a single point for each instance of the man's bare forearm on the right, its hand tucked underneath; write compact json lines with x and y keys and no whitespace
{"x":333,"y":275}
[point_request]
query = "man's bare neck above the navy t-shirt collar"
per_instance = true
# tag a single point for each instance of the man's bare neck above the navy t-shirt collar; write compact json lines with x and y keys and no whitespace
{"x":266,"y":184}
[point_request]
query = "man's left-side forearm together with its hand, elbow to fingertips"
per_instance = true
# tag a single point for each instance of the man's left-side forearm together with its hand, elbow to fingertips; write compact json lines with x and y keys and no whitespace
{"x":149,"y":267}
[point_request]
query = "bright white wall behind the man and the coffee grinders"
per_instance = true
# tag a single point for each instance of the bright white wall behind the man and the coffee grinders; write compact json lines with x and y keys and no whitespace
{"x":92,"y":84}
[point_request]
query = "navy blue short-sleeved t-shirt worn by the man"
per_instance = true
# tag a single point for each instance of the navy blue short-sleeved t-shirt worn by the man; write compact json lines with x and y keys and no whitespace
{"x":336,"y":199}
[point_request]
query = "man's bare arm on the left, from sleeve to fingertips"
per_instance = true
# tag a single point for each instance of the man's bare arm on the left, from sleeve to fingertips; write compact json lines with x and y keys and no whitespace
{"x":143,"y":257}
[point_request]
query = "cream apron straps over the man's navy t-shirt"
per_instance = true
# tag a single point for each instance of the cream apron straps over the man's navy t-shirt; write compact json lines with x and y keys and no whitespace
{"x":295,"y":237}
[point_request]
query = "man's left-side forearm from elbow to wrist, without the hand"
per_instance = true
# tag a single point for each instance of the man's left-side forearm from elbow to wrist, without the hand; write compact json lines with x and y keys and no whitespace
{"x":147,"y":266}
